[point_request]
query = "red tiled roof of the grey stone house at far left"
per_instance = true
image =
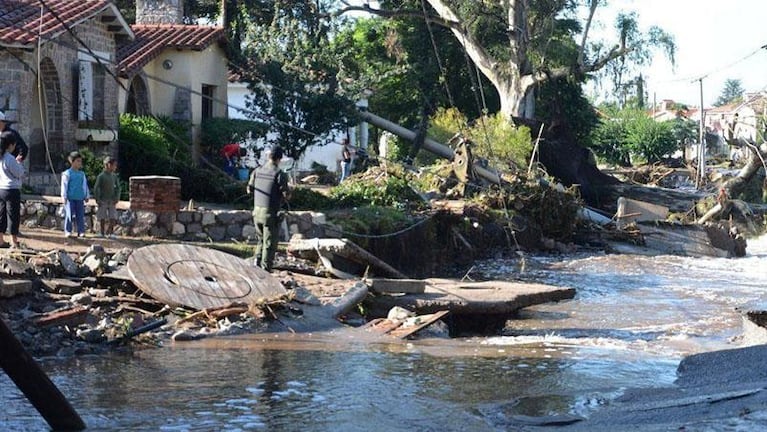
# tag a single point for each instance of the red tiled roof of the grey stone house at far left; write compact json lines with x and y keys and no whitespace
{"x":20,"y":20}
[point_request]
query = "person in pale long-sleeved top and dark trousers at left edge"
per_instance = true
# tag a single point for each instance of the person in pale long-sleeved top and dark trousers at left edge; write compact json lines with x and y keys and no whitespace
{"x":11,"y":172}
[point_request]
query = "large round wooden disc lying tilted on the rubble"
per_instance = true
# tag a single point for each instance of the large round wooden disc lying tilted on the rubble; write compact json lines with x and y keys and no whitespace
{"x":200,"y":278}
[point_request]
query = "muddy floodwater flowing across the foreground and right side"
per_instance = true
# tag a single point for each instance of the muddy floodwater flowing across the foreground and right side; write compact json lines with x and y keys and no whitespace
{"x":631,"y":322}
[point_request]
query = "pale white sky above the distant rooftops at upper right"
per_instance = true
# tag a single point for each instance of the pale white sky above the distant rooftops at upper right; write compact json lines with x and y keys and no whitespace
{"x":713,"y":37}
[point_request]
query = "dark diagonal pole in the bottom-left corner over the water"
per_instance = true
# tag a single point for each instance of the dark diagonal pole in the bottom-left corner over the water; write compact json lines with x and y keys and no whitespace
{"x":24,"y":371}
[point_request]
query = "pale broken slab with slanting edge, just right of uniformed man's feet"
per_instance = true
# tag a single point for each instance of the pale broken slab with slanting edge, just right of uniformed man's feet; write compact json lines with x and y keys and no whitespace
{"x":341,"y":247}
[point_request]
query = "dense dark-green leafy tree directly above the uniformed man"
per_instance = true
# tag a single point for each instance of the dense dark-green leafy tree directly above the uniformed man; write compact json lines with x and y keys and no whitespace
{"x":294,"y":78}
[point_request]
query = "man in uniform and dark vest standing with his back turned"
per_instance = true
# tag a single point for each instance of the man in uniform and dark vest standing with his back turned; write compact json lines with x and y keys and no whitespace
{"x":269,"y":186}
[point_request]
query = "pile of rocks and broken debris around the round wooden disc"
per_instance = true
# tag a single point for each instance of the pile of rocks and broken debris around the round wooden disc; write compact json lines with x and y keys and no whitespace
{"x":63,"y":303}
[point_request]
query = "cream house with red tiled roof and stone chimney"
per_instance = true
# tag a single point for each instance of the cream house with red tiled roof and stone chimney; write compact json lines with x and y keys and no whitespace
{"x":171,"y":69}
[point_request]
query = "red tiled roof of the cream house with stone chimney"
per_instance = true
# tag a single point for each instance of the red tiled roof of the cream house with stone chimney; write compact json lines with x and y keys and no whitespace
{"x":152,"y":39}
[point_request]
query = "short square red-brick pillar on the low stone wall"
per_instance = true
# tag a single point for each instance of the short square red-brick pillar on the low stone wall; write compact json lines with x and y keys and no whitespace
{"x":157,"y":194}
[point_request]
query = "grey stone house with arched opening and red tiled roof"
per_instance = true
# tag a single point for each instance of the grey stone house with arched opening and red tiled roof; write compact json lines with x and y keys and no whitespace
{"x":59,"y":76}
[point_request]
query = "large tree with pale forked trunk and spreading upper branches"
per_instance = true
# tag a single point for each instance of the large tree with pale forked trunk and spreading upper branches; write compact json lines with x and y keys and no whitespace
{"x":518,"y":44}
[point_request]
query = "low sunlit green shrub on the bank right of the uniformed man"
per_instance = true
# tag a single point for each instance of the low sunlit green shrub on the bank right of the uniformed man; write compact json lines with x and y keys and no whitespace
{"x":390,"y":190}
